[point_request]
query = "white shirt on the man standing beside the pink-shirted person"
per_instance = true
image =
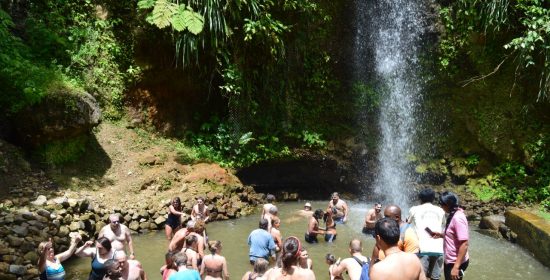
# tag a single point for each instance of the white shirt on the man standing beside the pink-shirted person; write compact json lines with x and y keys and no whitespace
{"x":427,"y":215}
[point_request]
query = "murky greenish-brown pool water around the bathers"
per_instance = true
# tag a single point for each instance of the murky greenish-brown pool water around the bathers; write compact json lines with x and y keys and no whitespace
{"x":489,"y":258}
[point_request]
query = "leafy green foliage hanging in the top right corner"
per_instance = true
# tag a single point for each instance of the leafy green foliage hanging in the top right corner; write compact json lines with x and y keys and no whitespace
{"x":524,"y":24}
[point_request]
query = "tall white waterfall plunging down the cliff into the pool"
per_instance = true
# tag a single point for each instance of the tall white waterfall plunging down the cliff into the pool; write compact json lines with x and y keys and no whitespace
{"x":394,"y":36}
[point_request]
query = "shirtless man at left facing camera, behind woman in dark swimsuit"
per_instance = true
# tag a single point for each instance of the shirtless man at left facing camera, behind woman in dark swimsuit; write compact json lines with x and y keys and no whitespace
{"x":118,"y":234}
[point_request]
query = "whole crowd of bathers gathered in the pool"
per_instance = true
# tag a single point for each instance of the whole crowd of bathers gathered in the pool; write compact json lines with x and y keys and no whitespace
{"x":425,"y":245}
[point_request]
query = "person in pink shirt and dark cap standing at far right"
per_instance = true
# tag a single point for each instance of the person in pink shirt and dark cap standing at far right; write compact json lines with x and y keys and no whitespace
{"x":456,"y":237}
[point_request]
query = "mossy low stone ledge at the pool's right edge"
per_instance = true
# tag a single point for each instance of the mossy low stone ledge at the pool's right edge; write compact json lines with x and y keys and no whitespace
{"x":533,"y":233}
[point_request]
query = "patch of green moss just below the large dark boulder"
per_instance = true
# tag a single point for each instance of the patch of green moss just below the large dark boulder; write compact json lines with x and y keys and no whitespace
{"x":62,"y":152}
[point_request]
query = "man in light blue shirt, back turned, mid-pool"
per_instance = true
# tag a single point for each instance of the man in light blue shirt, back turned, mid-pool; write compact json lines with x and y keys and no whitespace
{"x":261,"y":243}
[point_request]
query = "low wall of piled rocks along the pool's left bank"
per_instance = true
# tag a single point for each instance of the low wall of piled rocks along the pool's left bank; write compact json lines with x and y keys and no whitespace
{"x":24,"y":224}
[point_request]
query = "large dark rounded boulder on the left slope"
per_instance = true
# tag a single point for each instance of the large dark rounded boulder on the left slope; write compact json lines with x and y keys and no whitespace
{"x":60,"y":115}
